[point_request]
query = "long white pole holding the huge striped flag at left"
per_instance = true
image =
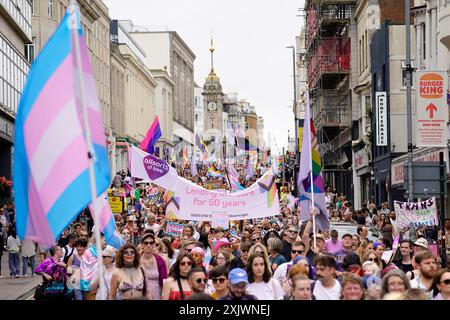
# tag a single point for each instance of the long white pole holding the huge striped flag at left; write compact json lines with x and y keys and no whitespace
{"x":74,"y":8}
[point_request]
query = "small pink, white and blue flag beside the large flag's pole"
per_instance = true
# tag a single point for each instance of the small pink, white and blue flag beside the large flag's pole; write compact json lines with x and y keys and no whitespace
{"x":107,"y":222}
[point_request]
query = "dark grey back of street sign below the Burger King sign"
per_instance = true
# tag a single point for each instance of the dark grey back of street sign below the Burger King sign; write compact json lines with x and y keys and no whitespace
{"x":426,"y":179}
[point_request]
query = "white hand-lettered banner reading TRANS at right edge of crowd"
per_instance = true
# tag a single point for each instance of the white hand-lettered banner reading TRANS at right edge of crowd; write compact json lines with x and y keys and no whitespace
{"x":416,"y":214}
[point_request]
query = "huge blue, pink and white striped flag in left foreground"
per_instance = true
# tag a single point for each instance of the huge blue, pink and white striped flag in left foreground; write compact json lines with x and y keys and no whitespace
{"x":51,"y":163}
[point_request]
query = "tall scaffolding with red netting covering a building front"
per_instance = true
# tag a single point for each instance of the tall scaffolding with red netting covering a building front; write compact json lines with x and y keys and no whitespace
{"x":328,"y":57}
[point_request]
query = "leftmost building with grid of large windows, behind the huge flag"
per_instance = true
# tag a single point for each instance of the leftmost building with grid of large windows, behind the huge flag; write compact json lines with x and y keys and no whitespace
{"x":15,"y":42}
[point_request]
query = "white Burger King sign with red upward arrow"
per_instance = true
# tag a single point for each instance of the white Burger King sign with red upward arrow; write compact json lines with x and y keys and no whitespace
{"x":432,"y":109}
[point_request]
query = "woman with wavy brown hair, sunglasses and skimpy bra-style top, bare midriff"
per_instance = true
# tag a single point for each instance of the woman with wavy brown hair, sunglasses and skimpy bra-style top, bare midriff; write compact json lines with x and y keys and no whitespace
{"x":129,"y":278}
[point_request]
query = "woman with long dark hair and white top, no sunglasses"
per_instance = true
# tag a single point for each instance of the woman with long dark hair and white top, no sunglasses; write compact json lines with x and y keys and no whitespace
{"x":259,"y":276}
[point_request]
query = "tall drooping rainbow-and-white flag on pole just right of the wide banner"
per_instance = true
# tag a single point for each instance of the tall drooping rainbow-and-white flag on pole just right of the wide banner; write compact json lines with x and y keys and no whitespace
{"x":310,"y":161}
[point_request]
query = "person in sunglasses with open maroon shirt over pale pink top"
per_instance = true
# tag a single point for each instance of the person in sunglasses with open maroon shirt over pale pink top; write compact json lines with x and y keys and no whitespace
{"x":154,"y":266}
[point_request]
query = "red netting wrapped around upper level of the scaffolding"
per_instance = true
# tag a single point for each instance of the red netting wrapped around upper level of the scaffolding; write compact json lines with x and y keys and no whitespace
{"x":332,"y":56}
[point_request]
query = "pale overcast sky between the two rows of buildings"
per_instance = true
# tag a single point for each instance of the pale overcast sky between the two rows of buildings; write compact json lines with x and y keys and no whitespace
{"x":250,"y":39}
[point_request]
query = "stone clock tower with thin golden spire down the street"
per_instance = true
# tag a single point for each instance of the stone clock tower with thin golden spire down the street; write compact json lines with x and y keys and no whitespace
{"x":213,"y":104}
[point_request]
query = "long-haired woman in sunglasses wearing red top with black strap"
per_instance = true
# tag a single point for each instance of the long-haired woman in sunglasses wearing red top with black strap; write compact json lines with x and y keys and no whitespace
{"x":176,"y":286}
